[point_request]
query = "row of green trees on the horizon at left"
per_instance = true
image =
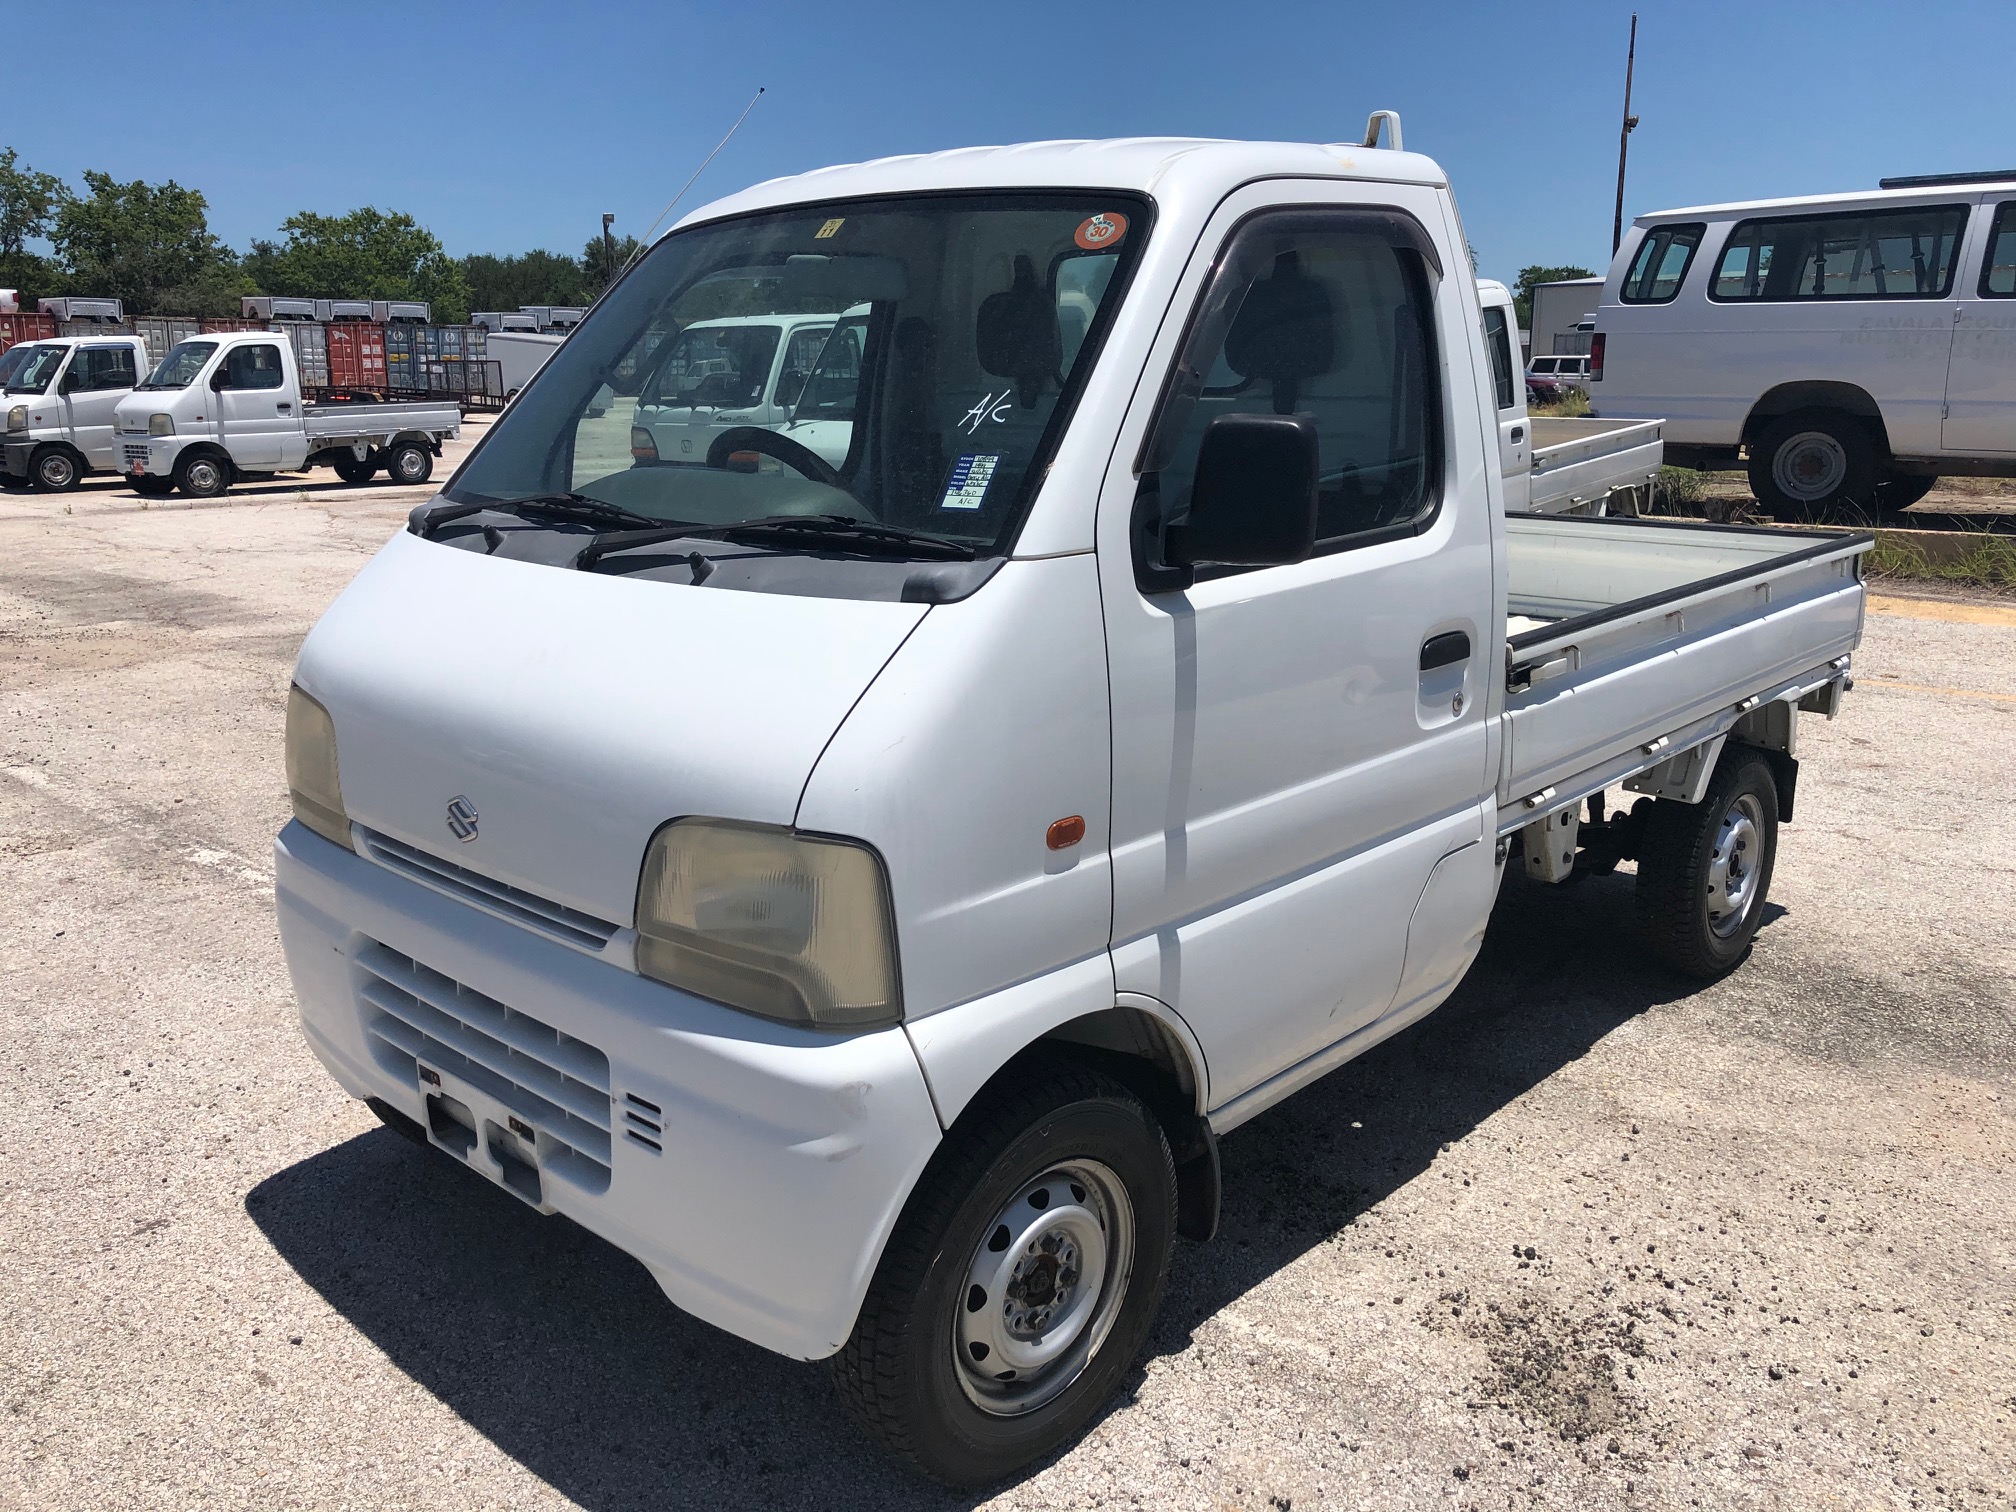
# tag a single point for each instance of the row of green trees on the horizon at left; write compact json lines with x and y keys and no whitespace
{"x":152,"y":247}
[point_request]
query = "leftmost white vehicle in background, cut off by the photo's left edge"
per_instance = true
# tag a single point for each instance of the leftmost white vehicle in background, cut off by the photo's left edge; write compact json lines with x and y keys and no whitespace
{"x":61,"y":396}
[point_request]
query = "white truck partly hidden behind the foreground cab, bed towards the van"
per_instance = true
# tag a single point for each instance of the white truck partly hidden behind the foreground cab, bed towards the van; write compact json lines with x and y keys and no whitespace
{"x":1561,"y":465}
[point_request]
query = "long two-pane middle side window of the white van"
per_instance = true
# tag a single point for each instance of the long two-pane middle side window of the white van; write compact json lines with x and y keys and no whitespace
{"x":1904,"y":253}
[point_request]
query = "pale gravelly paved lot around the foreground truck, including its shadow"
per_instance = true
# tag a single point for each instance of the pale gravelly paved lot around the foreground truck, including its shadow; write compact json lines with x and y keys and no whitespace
{"x":1586,"y":1239}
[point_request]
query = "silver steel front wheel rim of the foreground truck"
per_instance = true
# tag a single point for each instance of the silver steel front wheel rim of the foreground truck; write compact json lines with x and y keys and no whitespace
{"x":1043,"y":1289}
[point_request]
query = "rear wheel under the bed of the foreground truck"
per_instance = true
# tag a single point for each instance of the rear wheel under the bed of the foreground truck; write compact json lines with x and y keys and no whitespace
{"x":1690,"y":862}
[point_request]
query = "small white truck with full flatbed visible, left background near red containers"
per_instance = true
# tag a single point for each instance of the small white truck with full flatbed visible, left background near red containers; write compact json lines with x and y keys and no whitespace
{"x":229,"y":406}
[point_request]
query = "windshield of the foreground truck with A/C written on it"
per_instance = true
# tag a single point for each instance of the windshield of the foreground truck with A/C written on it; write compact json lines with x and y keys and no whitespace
{"x":944,"y":340}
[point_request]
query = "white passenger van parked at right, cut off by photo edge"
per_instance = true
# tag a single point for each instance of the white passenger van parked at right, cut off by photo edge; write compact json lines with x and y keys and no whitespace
{"x":1850,"y":348}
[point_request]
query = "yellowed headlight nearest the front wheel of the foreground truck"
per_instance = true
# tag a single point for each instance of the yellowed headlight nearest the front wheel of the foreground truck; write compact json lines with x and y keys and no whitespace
{"x":777,"y":924}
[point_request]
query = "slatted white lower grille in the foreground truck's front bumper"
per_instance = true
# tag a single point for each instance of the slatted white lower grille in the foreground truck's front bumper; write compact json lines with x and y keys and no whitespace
{"x":553,"y":1082}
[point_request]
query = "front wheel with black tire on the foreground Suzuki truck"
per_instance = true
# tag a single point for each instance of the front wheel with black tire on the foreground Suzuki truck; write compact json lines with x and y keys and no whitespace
{"x":900,"y":1374}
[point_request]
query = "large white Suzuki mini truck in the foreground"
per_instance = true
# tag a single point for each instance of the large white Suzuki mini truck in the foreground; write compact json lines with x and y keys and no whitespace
{"x":866,"y":892}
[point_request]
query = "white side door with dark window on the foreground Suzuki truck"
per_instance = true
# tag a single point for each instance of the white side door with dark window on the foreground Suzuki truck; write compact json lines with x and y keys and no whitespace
{"x":1295,"y":749}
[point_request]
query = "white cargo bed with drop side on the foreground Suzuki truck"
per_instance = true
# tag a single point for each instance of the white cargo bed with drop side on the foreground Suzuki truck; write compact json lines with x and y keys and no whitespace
{"x":1632,"y":642}
